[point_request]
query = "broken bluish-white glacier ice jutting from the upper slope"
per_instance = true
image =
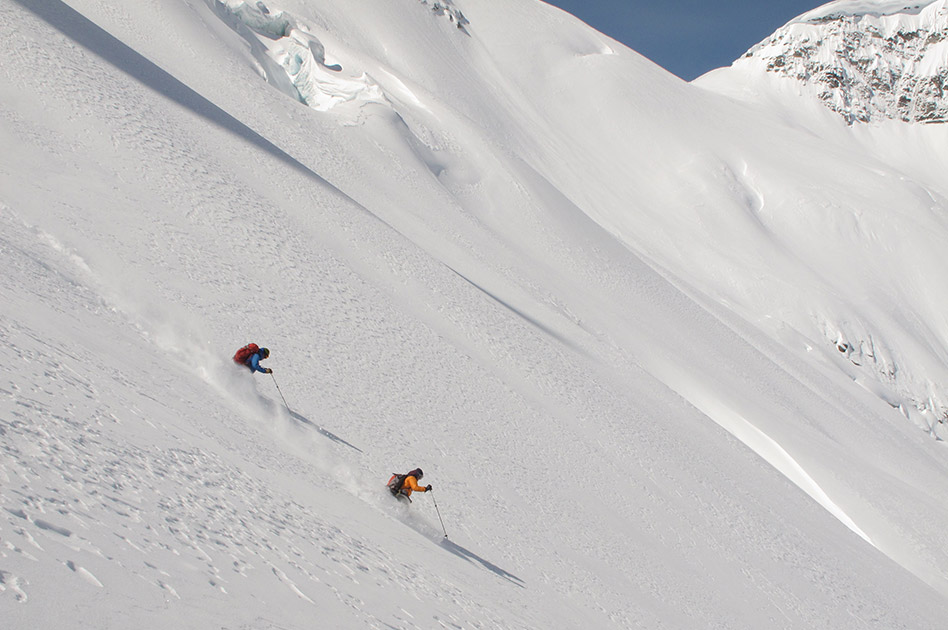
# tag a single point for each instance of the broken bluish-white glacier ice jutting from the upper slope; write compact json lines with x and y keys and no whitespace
{"x":292,"y":59}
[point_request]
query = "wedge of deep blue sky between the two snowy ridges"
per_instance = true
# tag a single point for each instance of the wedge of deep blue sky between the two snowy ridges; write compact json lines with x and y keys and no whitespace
{"x":688,"y":37}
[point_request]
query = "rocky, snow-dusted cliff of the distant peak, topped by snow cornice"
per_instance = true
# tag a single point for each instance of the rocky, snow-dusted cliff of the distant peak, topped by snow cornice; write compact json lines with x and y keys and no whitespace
{"x":866,"y":60}
